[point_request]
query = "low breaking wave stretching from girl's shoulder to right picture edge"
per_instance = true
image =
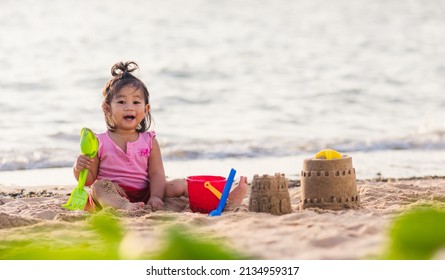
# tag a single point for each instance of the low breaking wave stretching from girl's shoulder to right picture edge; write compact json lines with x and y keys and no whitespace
{"x":434,"y":140}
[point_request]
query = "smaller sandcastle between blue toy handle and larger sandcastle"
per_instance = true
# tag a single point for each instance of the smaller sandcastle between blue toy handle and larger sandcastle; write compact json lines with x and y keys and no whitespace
{"x":270,"y":194}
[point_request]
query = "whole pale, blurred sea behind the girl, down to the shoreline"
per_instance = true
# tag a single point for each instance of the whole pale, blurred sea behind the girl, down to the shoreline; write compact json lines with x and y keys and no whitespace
{"x":255,"y":85}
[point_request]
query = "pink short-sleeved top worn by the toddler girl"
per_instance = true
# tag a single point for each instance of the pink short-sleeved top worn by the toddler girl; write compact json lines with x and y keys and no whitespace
{"x":128,"y":169}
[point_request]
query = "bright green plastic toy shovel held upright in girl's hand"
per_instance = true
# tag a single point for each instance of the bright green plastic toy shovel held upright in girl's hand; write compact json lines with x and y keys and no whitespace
{"x":89,"y":146}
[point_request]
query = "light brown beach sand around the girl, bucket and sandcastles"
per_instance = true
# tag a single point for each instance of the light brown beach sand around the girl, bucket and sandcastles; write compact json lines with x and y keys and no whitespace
{"x":312,"y":234}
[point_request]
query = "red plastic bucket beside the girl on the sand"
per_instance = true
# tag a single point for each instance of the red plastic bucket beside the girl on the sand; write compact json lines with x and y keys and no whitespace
{"x":202,"y":199}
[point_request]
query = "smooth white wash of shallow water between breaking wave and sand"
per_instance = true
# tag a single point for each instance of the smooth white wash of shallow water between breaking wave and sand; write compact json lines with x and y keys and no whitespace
{"x":387,"y":164}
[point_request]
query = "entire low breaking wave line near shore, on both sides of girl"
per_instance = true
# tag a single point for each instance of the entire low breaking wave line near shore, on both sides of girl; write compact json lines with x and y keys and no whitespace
{"x":192,"y":150}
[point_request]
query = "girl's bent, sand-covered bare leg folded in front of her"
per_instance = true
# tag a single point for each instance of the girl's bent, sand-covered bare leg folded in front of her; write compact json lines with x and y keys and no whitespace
{"x":109,"y":194}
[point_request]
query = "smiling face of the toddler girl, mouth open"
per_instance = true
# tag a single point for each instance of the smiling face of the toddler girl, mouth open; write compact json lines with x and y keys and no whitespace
{"x":127,"y":109}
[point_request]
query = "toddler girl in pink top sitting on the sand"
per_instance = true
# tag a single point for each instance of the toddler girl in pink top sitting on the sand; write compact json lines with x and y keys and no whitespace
{"x":128,"y":171}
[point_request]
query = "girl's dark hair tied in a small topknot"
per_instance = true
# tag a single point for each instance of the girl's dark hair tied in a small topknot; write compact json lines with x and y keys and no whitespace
{"x":122,"y":77}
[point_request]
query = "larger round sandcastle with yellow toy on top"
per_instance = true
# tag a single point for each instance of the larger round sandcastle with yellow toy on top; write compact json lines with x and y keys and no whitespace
{"x":329,"y":184}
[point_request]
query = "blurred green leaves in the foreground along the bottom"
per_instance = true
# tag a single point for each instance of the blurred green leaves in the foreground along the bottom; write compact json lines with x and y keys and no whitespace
{"x":418,"y":233}
